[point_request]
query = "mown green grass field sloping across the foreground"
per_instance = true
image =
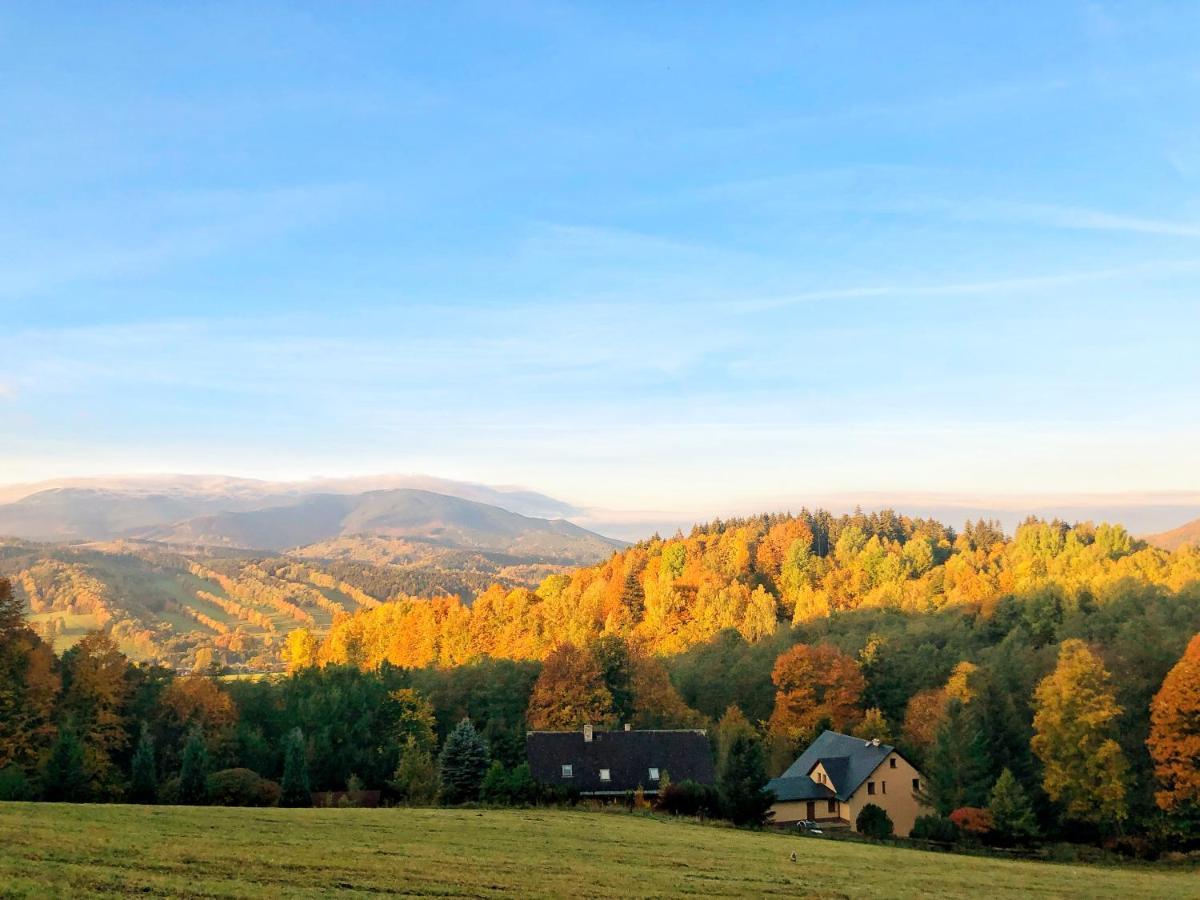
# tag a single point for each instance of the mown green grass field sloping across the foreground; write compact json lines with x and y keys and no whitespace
{"x":68,"y":851}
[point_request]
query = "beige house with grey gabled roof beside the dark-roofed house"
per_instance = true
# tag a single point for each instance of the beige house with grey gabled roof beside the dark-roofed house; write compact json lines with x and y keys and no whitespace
{"x":839,"y":775}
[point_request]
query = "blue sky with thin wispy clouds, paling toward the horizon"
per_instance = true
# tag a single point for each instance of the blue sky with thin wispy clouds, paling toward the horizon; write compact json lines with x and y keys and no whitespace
{"x":646,"y":256}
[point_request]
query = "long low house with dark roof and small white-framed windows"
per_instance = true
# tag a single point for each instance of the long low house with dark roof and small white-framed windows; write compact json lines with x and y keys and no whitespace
{"x":611,"y":764}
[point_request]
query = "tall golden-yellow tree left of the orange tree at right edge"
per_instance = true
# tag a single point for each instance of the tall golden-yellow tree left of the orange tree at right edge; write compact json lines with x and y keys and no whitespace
{"x":1076,"y":739}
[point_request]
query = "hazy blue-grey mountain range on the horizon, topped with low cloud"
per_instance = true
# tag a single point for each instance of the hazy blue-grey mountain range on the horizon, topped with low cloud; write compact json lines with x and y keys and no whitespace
{"x":239,"y":514}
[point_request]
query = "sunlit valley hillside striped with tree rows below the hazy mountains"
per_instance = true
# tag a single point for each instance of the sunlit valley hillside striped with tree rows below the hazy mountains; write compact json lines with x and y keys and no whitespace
{"x":189,"y":608}
